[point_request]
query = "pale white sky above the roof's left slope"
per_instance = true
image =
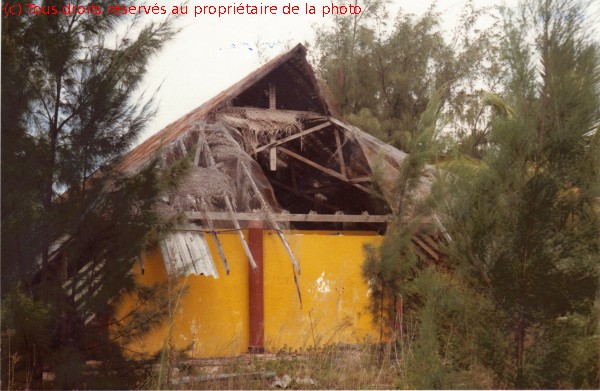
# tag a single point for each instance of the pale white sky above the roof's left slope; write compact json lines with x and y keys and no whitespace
{"x":212,"y":53}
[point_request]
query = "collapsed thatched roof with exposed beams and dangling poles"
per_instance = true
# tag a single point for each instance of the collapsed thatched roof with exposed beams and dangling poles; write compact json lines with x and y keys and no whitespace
{"x":271,"y":144}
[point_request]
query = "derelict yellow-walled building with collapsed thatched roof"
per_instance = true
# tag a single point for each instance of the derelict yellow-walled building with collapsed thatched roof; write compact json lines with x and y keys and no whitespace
{"x":278,"y":204}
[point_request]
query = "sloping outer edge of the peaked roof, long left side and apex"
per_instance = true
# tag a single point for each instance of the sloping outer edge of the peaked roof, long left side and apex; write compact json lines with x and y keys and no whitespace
{"x":147,"y":150}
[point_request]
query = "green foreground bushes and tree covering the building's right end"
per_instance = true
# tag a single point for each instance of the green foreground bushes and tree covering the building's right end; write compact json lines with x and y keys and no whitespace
{"x":517,"y":296}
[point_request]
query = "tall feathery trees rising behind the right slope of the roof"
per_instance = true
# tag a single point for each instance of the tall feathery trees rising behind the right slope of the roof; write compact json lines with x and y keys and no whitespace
{"x":383,"y":74}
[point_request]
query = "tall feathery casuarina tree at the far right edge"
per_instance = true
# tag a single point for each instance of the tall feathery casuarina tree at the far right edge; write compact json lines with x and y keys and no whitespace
{"x":525,"y":220}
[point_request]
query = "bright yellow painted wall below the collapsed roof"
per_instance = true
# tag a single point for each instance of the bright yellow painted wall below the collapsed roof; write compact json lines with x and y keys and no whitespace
{"x":213,"y":314}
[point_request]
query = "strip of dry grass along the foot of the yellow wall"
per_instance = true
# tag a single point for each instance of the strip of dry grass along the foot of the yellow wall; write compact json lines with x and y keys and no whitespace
{"x":332,"y":367}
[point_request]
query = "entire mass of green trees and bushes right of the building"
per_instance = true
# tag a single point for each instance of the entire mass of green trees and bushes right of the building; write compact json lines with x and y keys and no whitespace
{"x":515,"y":301}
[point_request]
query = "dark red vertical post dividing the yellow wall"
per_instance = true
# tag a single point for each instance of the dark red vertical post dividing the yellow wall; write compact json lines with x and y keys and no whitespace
{"x":256,"y":343}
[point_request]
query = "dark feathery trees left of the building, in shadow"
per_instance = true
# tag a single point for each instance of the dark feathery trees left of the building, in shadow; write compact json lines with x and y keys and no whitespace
{"x":72,"y":224}
